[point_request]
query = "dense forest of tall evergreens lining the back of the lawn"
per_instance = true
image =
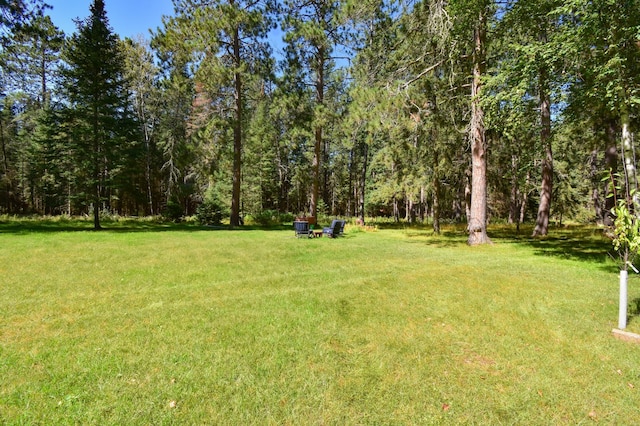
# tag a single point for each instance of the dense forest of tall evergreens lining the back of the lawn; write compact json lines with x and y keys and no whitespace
{"x":436,"y":110}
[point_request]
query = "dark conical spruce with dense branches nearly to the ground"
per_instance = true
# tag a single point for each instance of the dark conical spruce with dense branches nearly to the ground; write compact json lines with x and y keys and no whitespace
{"x":95,"y":88}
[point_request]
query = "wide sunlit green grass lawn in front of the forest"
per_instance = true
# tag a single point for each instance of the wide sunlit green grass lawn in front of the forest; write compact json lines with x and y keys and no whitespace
{"x":148,"y":324}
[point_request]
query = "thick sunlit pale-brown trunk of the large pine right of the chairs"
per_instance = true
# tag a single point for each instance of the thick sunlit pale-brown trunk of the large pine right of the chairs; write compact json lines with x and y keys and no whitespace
{"x":478,"y":211}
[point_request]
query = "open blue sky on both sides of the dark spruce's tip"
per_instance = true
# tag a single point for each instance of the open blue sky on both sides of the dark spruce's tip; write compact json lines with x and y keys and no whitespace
{"x":128,"y":18}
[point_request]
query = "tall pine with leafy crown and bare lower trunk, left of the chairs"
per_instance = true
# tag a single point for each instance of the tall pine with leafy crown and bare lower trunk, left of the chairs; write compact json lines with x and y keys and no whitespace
{"x":226,"y":41}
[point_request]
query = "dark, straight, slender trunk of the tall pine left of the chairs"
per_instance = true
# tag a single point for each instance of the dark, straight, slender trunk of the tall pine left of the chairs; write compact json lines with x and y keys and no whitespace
{"x":237,"y":134}
